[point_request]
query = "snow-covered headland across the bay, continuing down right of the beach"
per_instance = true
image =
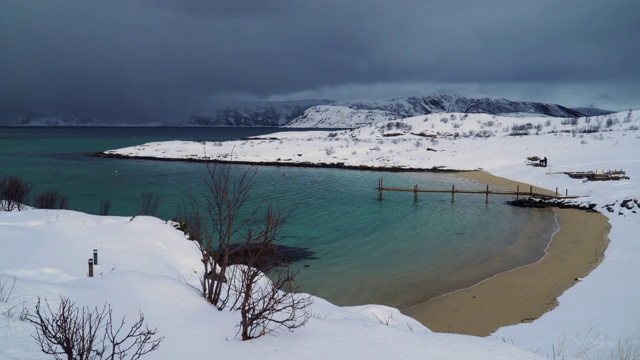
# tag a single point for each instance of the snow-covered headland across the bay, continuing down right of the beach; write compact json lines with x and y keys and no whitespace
{"x":600,"y":313}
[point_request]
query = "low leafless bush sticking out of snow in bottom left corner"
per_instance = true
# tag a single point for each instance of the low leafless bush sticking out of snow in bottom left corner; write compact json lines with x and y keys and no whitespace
{"x":85,"y":334}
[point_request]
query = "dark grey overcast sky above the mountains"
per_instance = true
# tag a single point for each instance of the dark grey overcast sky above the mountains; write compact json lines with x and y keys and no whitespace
{"x":162,"y":60}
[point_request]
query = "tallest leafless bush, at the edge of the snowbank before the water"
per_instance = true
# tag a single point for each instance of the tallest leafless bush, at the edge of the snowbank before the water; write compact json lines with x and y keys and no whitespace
{"x":230,"y":236}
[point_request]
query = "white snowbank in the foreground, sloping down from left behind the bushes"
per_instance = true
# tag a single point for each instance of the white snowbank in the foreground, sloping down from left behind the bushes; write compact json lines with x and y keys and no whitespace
{"x":145,"y":264}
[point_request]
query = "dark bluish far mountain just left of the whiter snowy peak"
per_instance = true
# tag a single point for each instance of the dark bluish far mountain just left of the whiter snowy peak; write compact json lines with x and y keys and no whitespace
{"x":261,"y":113}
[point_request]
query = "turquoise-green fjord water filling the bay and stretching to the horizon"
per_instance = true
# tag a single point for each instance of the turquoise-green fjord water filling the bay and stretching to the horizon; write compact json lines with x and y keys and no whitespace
{"x":395,"y":252}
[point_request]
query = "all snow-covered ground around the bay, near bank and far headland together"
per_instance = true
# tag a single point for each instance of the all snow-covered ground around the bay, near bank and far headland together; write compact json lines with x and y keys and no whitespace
{"x":146,"y":264}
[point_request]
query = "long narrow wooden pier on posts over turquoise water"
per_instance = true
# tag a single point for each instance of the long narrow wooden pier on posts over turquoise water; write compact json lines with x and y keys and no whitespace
{"x":517,"y":193}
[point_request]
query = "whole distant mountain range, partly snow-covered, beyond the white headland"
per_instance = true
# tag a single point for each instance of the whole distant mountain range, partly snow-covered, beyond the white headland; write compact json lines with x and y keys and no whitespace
{"x":321,"y":113}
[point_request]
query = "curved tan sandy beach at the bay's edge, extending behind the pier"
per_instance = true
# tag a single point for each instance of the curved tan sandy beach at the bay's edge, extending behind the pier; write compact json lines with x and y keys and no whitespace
{"x":525,"y":293}
